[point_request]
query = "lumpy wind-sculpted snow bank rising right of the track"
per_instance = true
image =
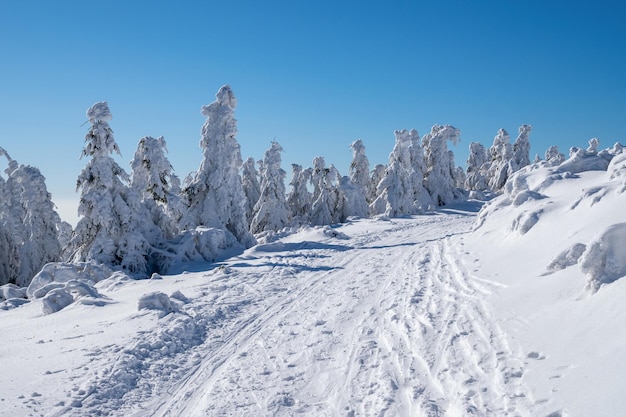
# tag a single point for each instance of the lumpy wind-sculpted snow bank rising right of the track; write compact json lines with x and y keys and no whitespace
{"x":576,"y":196}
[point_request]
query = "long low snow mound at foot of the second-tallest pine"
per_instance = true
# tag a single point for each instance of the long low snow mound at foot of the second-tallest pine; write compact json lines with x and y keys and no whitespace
{"x":62,"y":272}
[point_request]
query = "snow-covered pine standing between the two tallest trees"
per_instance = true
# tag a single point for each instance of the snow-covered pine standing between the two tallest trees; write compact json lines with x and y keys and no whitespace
{"x":153,"y":178}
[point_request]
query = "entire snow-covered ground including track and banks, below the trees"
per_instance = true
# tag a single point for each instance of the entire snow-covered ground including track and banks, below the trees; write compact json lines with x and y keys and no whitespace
{"x":516,"y":311}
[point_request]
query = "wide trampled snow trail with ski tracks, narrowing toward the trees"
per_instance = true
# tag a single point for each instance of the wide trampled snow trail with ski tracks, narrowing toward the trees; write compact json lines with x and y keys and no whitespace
{"x":393,"y":325}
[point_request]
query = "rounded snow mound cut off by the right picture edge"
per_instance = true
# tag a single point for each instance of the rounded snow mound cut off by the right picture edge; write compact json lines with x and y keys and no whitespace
{"x":605,"y":259}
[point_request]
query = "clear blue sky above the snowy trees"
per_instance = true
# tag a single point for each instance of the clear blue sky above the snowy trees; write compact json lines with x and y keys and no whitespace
{"x":313,"y":75}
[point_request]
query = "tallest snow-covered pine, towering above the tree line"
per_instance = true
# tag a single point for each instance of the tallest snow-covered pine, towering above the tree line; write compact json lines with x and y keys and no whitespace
{"x":215,"y":194}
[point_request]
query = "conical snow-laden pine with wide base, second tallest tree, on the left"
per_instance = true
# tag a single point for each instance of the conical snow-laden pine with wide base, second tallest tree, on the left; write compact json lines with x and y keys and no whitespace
{"x":115,"y":228}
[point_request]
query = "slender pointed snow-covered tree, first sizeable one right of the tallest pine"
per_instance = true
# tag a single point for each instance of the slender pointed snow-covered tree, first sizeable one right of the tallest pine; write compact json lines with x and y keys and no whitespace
{"x":271,"y":211}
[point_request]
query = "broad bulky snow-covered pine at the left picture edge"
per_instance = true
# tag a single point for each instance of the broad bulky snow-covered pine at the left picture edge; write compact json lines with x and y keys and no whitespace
{"x":30,"y":222}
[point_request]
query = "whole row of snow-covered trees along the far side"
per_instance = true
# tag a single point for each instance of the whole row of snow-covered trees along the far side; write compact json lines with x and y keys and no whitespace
{"x":147,"y":220}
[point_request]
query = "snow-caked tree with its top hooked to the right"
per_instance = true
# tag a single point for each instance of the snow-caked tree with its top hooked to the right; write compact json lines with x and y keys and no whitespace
{"x":438,"y":177}
